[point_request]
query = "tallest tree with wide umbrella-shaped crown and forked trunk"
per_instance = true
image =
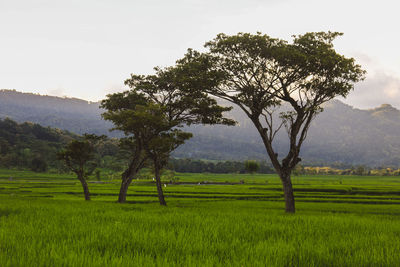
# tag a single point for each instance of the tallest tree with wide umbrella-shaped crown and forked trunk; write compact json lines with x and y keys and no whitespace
{"x":266,"y":76}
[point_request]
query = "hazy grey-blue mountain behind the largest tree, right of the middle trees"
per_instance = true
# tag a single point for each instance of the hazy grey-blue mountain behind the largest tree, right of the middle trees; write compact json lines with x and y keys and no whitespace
{"x":340,"y":134}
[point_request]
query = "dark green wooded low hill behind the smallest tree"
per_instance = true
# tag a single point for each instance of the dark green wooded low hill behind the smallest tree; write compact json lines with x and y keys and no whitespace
{"x":32,"y":146}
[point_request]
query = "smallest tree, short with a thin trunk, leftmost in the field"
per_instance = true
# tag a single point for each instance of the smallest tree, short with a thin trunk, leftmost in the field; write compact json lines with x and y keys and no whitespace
{"x":79,"y":156}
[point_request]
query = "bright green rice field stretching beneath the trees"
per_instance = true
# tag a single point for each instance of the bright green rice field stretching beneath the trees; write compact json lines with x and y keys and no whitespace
{"x":340,"y":221}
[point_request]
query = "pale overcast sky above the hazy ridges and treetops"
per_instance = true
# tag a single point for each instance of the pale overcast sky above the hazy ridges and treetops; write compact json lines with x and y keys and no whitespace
{"x":87,"y":48}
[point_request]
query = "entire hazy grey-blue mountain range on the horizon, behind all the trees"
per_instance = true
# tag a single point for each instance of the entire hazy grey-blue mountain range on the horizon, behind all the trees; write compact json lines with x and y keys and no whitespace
{"x":340,"y":135}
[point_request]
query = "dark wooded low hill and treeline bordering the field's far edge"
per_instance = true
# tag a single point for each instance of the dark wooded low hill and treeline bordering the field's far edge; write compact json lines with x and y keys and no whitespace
{"x":32,"y":146}
